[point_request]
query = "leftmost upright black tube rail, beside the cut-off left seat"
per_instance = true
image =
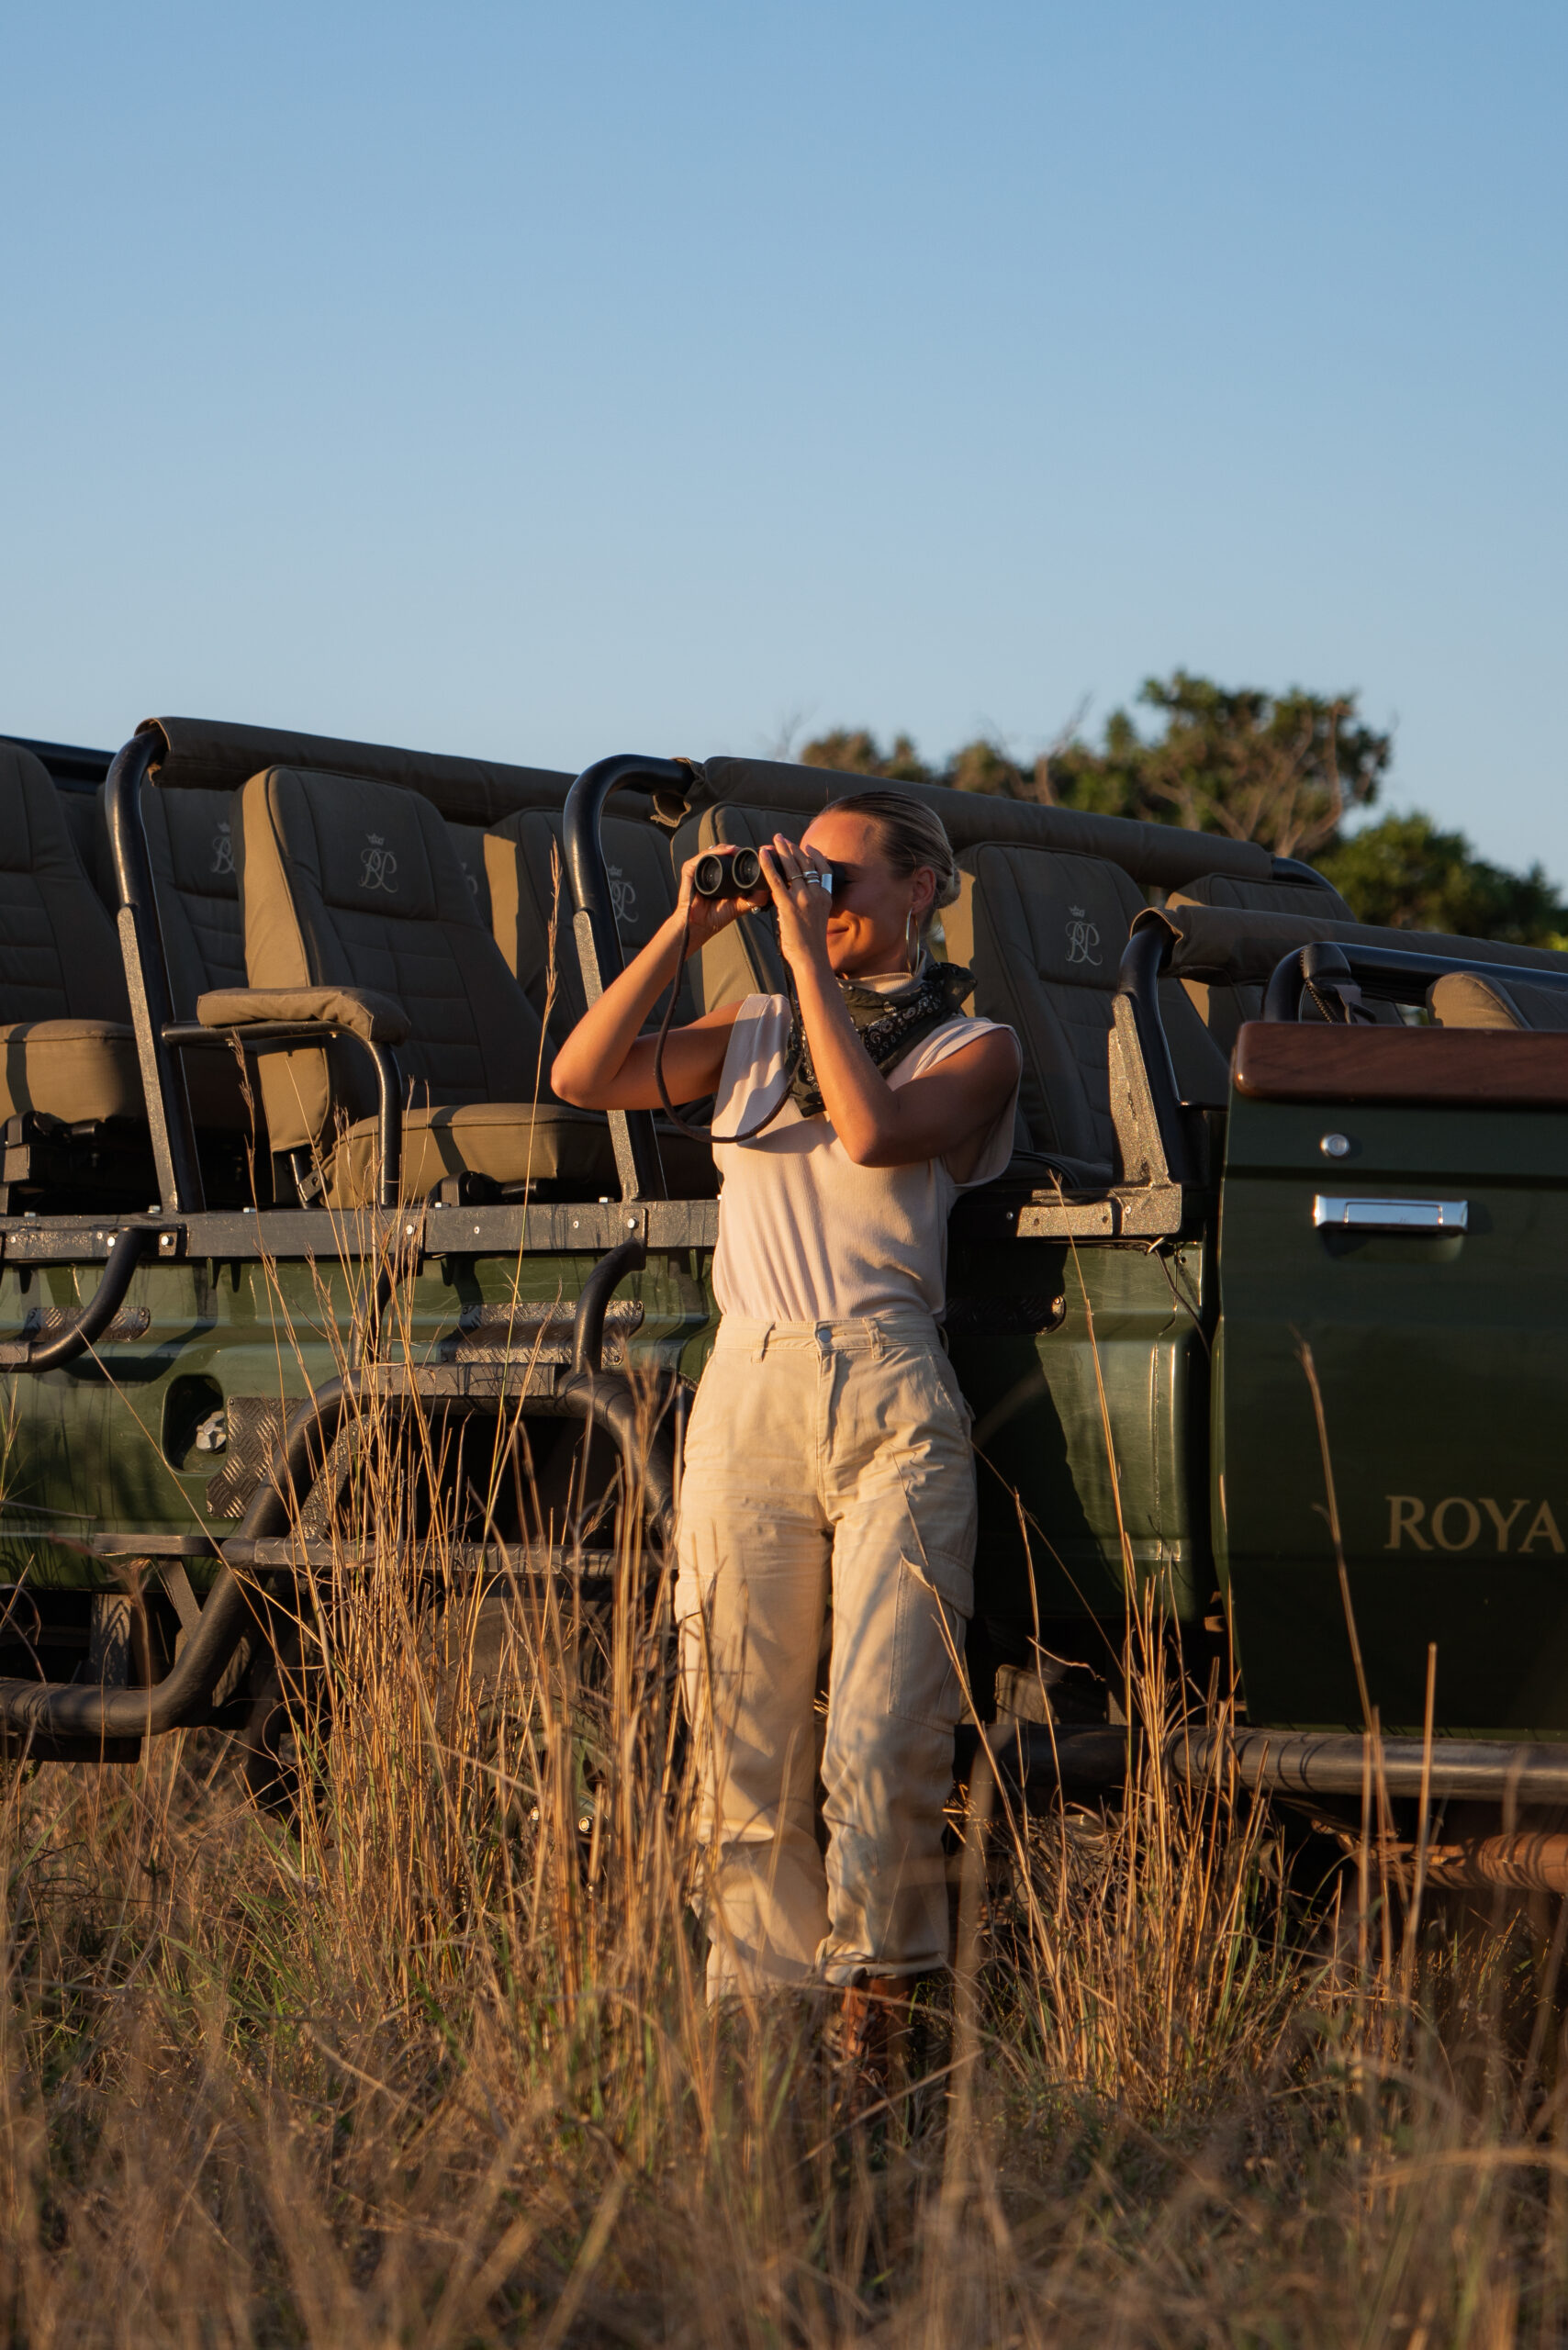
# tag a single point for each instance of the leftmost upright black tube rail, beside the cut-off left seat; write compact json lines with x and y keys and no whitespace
{"x":147,"y":979}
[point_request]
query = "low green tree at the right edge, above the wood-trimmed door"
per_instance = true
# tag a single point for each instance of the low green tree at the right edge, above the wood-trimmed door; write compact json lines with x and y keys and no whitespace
{"x":1412,"y":878}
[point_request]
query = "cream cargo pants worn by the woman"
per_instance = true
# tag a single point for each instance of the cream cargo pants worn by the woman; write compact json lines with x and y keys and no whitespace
{"x":829,"y":1493}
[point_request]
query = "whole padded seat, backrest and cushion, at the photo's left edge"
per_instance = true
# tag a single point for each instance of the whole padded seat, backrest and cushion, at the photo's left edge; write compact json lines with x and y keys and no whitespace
{"x":65,"y":1019}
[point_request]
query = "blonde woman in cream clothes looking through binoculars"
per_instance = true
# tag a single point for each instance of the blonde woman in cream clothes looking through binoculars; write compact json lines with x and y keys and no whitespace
{"x":829,"y":1498}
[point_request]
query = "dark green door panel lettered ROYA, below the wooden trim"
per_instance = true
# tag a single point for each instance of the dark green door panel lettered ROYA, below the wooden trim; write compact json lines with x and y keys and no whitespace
{"x":1445,"y":1378}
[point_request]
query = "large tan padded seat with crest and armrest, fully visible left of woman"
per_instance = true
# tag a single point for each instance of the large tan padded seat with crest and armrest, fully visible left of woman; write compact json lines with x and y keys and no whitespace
{"x":359,"y":885}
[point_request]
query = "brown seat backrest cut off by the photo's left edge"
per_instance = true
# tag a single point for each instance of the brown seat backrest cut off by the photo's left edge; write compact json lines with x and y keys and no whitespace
{"x":60,"y":958}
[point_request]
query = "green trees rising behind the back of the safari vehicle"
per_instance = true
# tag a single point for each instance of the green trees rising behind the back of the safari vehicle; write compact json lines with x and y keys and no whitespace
{"x":1285,"y":770}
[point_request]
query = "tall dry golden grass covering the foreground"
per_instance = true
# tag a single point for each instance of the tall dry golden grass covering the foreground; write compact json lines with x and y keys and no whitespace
{"x":429,"y":2062}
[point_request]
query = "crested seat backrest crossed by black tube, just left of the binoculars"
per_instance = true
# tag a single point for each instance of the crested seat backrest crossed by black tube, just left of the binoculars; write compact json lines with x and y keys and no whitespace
{"x":523,"y":906}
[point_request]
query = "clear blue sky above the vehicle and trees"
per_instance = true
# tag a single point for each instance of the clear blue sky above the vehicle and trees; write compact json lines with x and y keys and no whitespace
{"x":544,"y":382}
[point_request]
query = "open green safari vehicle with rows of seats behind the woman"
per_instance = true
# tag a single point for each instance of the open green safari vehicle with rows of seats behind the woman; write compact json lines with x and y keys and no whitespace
{"x":1268,"y":1315}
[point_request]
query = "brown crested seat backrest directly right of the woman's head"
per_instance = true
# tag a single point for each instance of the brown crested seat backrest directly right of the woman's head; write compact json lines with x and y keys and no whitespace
{"x":1045,"y":936}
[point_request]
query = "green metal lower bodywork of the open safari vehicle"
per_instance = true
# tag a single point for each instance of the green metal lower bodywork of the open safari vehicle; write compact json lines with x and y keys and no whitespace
{"x":1177,"y":1381}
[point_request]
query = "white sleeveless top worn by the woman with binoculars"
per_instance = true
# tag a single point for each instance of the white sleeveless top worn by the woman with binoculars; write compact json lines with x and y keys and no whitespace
{"x":808,"y":1235}
